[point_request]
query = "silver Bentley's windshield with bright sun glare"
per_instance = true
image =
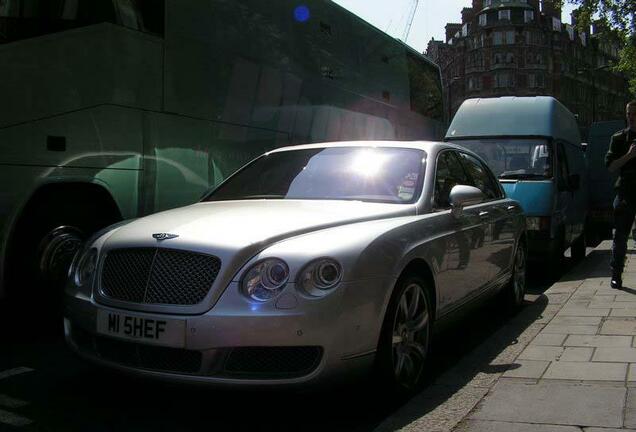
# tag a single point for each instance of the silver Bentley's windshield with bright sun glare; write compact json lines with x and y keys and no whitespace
{"x":391,"y":175}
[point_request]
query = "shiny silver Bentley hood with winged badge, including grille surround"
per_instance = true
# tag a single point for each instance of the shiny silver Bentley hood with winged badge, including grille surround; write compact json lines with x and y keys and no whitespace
{"x":235,"y":231}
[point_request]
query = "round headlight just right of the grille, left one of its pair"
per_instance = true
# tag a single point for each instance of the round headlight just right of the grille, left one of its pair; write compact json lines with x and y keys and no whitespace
{"x":266,"y":279}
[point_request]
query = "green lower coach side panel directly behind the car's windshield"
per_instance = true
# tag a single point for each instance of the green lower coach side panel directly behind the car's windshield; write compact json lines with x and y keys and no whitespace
{"x":185,"y":157}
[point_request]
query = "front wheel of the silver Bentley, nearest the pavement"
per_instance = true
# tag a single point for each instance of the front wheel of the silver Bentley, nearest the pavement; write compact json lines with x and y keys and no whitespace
{"x":405,"y":337}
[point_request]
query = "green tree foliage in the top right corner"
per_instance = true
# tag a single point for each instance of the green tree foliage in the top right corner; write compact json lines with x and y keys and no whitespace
{"x":619,"y":16}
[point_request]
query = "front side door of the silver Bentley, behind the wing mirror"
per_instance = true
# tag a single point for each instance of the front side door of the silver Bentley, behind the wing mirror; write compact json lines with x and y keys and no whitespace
{"x":460,"y":271}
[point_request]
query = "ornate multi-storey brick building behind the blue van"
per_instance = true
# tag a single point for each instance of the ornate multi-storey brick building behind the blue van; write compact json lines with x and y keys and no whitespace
{"x":521,"y":48}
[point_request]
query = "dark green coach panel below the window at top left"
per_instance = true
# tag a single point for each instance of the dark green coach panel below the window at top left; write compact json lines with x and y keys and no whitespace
{"x":79,"y":68}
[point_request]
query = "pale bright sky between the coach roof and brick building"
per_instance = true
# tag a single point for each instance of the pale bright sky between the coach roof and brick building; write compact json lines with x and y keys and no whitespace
{"x":430,"y":18}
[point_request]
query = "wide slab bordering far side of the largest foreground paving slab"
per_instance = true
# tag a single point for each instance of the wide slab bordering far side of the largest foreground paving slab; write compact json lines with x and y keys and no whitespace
{"x":586,"y":371}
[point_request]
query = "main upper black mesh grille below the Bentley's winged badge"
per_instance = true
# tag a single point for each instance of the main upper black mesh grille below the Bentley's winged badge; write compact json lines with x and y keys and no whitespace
{"x":158,"y":276}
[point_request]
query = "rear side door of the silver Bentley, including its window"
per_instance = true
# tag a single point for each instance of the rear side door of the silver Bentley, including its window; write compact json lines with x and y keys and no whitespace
{"x":494,"y":213}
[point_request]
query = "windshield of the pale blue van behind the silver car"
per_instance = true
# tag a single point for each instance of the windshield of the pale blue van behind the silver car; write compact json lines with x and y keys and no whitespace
{"x":514,"y":158}
